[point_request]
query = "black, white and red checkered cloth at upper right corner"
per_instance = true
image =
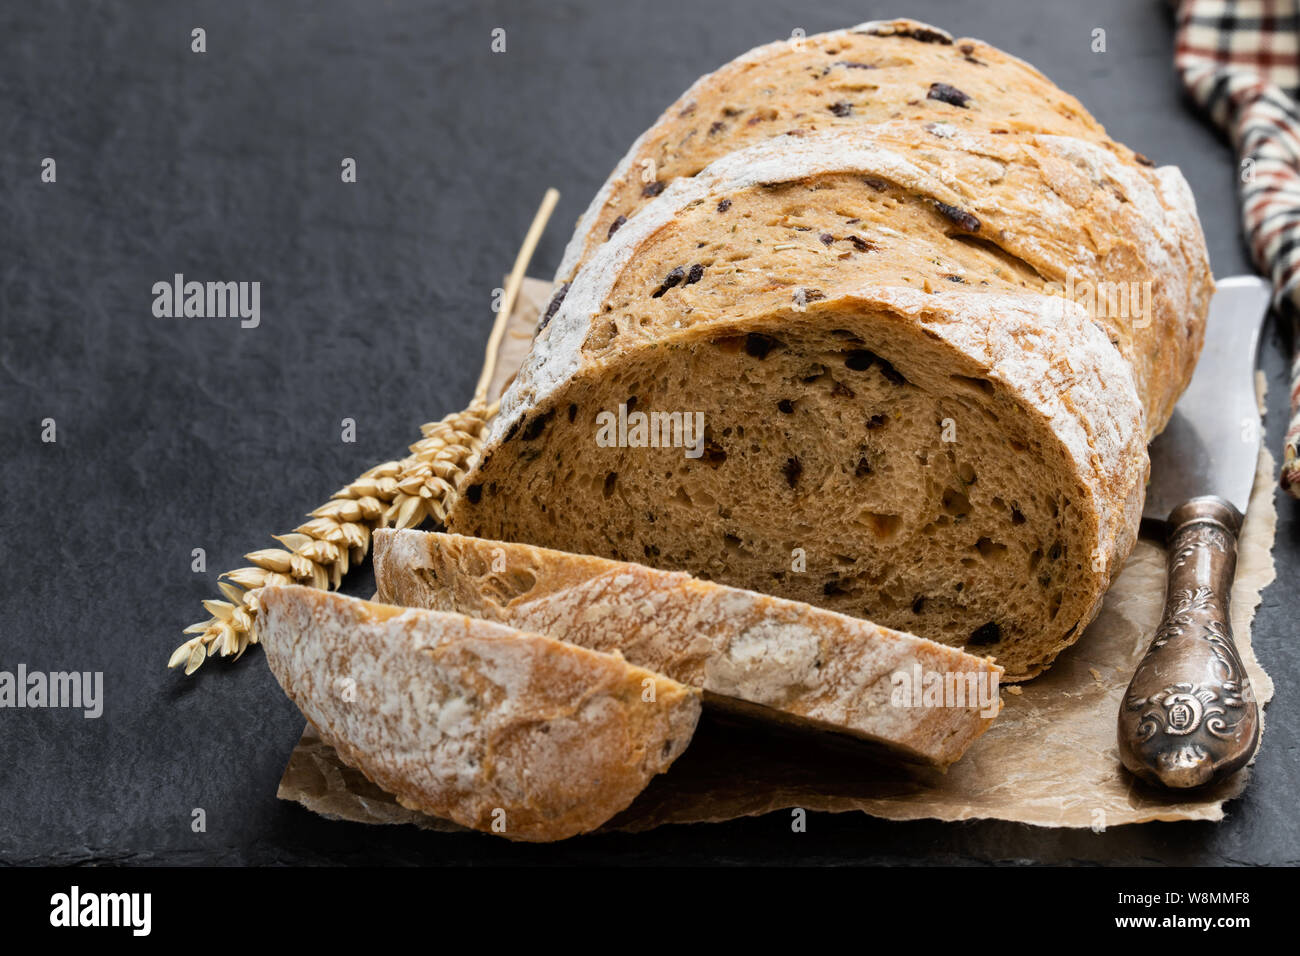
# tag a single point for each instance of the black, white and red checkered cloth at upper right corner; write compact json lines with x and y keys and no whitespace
{"x":1240,"y":63}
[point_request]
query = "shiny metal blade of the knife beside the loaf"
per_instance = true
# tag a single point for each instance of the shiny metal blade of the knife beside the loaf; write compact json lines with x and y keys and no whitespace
{"x":1212,"y":443}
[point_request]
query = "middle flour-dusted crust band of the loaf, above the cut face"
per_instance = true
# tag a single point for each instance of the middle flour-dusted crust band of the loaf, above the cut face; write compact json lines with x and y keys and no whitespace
{"x":1051,"y":215}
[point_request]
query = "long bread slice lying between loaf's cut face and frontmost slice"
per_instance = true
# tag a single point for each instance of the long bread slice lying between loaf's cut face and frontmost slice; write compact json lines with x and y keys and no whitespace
{"x":760,"y":655}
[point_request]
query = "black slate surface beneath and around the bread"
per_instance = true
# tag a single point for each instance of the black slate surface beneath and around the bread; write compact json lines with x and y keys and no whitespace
{"x":187,"y":434}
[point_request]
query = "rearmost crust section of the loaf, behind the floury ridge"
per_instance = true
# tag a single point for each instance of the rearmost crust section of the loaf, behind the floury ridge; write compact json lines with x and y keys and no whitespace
{"x":843,"y":80}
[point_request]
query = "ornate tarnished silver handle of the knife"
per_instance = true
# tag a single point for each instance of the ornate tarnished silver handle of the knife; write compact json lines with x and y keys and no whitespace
{"x":1190,"y":716}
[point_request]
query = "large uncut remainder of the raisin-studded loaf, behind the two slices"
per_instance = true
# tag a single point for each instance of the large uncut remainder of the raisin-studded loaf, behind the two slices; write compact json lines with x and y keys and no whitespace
{"x":896,"y":351}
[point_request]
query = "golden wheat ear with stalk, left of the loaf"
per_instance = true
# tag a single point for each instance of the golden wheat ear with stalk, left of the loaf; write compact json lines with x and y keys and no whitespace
{"x":401,"y":495}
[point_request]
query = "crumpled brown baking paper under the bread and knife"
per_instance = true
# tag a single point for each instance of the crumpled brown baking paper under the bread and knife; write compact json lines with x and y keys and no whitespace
{"x":1048,"y":760}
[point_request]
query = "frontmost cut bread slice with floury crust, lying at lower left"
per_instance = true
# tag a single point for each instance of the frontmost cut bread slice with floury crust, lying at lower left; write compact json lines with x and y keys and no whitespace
{"x":496,"y":729}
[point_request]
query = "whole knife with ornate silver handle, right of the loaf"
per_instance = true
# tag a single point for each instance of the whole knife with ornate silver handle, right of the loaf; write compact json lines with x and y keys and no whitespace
{"x":1190,"y":717}
